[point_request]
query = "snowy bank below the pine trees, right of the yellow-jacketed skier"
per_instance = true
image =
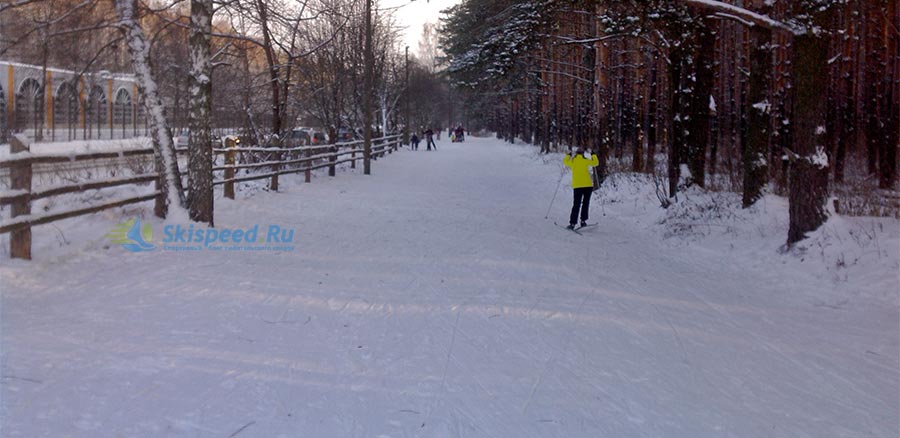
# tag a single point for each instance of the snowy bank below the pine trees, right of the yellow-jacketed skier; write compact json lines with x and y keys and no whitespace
{"x":859,"y":254}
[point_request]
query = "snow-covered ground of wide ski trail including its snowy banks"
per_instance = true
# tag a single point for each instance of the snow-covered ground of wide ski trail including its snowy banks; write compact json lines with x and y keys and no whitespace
{"x":433,"y":299}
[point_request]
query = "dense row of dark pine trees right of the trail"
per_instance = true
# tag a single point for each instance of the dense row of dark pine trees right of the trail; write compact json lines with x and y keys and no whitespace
{"x":726,"y":100}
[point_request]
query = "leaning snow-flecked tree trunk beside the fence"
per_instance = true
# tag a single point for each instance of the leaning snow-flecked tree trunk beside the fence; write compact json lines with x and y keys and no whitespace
{"x":164,"y":149}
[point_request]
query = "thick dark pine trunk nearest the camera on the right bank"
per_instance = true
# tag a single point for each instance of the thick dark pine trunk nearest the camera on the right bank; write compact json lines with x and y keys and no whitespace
{"x":808,"y":187}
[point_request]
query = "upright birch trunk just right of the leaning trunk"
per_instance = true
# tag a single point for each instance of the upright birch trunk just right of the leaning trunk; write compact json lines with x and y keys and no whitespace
{"x":200,"y":160}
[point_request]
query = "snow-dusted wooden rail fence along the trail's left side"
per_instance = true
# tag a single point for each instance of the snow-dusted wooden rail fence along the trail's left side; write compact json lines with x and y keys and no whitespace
{"x":279,"y":161}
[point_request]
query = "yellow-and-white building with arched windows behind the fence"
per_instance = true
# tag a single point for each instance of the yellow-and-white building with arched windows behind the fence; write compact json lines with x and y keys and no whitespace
{"x":62,"y":105}
